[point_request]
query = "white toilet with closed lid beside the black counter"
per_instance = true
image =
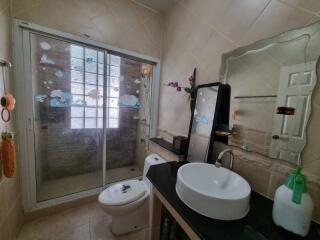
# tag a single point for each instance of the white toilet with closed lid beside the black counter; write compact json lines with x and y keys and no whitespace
{"x":128,"y":201}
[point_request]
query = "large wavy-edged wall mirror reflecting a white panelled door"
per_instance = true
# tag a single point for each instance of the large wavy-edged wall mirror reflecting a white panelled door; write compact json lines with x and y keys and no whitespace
{"x":272,"y":84}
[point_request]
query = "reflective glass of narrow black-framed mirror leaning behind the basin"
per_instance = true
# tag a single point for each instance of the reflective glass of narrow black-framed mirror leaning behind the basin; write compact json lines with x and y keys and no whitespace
{"x":202,"y":122}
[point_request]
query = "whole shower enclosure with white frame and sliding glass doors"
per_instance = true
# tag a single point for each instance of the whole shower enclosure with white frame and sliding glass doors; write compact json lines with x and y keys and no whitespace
{"x":85,"y":113}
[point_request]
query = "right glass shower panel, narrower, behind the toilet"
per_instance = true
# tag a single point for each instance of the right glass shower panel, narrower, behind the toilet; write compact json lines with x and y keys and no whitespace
{"x":128,"y":97}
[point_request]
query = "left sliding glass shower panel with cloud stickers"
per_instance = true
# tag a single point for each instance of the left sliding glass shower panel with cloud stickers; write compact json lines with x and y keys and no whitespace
{"x":67,"y":85}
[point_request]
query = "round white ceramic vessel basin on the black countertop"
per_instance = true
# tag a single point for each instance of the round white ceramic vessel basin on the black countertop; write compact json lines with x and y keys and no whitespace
{"x":213,"y":192}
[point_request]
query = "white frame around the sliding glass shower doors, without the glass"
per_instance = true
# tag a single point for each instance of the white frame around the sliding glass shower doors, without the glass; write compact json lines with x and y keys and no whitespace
{"x":22,"y":74}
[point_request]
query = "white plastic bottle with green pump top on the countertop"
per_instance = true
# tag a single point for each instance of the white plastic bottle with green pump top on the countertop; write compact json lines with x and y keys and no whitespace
{"x":293,"y":206}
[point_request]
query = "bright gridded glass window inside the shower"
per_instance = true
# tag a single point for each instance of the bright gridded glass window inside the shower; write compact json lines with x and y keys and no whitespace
{"x":87,"y":88}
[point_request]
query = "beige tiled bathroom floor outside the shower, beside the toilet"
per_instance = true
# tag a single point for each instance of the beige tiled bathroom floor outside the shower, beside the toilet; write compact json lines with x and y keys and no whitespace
{"x":86,"y":222}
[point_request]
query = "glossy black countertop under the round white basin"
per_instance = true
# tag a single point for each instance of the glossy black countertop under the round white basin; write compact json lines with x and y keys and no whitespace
{"x":258,"y":224}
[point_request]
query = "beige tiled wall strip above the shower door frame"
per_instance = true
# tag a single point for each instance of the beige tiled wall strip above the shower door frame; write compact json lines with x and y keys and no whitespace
{"x":119,"y":23}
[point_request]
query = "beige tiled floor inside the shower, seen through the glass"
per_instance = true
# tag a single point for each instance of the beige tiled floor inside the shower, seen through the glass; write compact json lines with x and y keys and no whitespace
{"x":64,"y":186}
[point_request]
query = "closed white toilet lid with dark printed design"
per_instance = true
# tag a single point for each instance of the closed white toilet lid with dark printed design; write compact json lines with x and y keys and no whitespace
{"x":123,"y":192}
